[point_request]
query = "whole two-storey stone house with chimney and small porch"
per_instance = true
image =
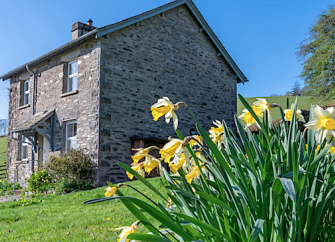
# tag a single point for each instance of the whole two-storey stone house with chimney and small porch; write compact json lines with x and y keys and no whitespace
{"x":95,"y":92}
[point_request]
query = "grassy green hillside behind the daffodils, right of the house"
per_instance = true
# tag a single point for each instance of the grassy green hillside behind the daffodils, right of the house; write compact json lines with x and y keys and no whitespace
{"x":304,"y":102}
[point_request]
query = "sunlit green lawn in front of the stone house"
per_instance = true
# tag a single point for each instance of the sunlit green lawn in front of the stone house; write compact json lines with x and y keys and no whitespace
{"x":66,"y":218}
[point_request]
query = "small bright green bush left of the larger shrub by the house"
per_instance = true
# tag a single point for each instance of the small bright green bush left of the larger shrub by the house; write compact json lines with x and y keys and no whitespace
{"x":40,"y":181}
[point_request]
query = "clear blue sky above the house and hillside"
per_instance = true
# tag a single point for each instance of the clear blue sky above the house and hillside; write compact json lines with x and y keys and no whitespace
{"x":262,"y":36}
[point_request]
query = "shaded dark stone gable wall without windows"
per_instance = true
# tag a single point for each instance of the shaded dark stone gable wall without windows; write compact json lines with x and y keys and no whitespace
{"x":162,"y":56}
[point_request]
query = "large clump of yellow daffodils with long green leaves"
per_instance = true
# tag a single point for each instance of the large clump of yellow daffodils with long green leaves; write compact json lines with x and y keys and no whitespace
{"x":276,"y":185}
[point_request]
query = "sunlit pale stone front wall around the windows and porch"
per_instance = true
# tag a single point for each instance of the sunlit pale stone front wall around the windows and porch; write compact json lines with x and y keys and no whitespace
{"x":82,"y":106}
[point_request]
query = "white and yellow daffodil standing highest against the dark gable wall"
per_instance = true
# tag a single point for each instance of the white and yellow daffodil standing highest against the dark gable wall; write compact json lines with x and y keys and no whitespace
{"x":165,"y":107}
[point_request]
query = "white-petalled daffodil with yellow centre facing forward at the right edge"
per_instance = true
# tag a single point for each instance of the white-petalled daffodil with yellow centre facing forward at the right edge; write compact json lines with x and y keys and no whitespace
{"x":323,"y":123}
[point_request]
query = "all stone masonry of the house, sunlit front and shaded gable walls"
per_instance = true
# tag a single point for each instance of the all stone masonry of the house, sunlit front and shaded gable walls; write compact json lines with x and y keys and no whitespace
{"x":120,"y":76}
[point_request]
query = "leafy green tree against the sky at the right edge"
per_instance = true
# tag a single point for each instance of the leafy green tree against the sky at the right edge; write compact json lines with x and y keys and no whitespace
{"x":317,"y":52}
